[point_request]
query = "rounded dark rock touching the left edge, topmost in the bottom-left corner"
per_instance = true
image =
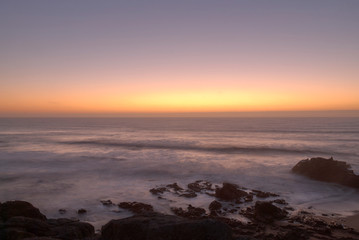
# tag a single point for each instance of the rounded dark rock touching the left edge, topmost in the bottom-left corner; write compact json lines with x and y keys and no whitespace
{"x":19,"y":208}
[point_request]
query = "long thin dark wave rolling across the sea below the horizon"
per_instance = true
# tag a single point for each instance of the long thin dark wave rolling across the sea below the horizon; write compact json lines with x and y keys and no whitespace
{"x":211,"y":148}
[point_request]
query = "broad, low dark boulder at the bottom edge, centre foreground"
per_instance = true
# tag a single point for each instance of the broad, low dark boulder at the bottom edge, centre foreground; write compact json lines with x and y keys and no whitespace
{"x":165,"y":227}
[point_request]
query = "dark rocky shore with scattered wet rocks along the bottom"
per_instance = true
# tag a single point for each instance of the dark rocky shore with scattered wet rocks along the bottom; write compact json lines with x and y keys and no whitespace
{"x":235,"y":213}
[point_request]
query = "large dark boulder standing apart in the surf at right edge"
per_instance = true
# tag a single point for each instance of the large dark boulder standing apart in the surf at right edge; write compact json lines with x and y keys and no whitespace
{"x":327,"y":170}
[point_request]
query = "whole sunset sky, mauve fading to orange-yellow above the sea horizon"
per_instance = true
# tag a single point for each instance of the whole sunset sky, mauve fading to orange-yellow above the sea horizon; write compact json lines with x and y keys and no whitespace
{"x":104,"y":57}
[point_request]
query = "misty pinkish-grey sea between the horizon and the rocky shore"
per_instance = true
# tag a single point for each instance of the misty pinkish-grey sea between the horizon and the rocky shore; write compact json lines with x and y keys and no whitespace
{"x":74,"y":163}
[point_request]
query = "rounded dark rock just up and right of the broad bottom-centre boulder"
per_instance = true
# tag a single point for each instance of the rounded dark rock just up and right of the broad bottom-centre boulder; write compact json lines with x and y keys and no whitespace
{"x":267,"y":212}
